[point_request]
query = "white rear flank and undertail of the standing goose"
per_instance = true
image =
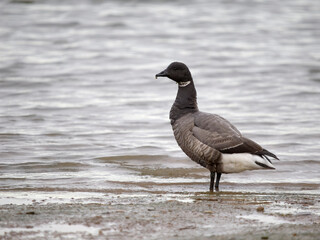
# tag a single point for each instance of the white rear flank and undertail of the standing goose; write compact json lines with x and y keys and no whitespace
{"x":239,"y":162}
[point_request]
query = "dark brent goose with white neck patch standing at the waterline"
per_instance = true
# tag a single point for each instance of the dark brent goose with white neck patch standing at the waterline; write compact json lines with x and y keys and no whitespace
{"x":209,"y":139}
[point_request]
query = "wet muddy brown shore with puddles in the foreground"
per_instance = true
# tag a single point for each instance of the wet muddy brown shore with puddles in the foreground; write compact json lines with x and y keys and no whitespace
{"x":224,"y":215}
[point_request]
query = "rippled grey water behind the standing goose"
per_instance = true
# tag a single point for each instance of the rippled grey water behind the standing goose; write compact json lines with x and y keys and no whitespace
{"x":81,"y":114}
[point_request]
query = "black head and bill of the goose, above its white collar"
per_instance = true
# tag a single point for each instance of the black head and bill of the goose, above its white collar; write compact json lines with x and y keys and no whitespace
{"x":176,"y":71}
